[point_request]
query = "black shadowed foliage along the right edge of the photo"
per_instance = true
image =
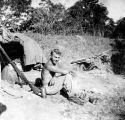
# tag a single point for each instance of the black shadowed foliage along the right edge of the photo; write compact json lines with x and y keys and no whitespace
{"x":118,"y":58}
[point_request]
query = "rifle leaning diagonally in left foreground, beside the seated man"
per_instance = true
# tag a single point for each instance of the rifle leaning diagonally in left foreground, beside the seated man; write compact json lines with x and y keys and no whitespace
{"x":21,"y":75}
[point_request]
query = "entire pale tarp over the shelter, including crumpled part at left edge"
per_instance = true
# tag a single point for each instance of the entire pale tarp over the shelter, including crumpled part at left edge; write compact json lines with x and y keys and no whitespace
{"x":32,"y":52}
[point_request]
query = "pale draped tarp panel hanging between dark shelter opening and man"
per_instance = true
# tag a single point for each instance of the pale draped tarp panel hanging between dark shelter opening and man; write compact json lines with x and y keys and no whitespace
{"x":32,"y":52}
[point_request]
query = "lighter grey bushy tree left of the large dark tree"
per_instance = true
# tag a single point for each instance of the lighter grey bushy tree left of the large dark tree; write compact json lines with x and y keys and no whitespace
{"x":45,"y":19}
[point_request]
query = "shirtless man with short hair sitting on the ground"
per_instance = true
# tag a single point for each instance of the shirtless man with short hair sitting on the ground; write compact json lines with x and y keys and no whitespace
{"x":53,"y":74}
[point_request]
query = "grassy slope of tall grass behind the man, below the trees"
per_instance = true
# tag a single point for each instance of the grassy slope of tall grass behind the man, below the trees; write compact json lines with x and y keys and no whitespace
{"x":72,"y":46}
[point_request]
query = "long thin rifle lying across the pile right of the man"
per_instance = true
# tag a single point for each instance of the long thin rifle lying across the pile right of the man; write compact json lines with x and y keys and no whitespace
{"x":94,"y":57}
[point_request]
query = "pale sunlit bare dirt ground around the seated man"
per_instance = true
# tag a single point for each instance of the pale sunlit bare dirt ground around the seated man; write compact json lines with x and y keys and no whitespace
{"x":22,"y":104}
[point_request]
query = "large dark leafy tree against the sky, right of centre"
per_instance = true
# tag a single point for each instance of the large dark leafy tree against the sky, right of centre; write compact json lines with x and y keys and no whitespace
{"x":89,"y":16}
